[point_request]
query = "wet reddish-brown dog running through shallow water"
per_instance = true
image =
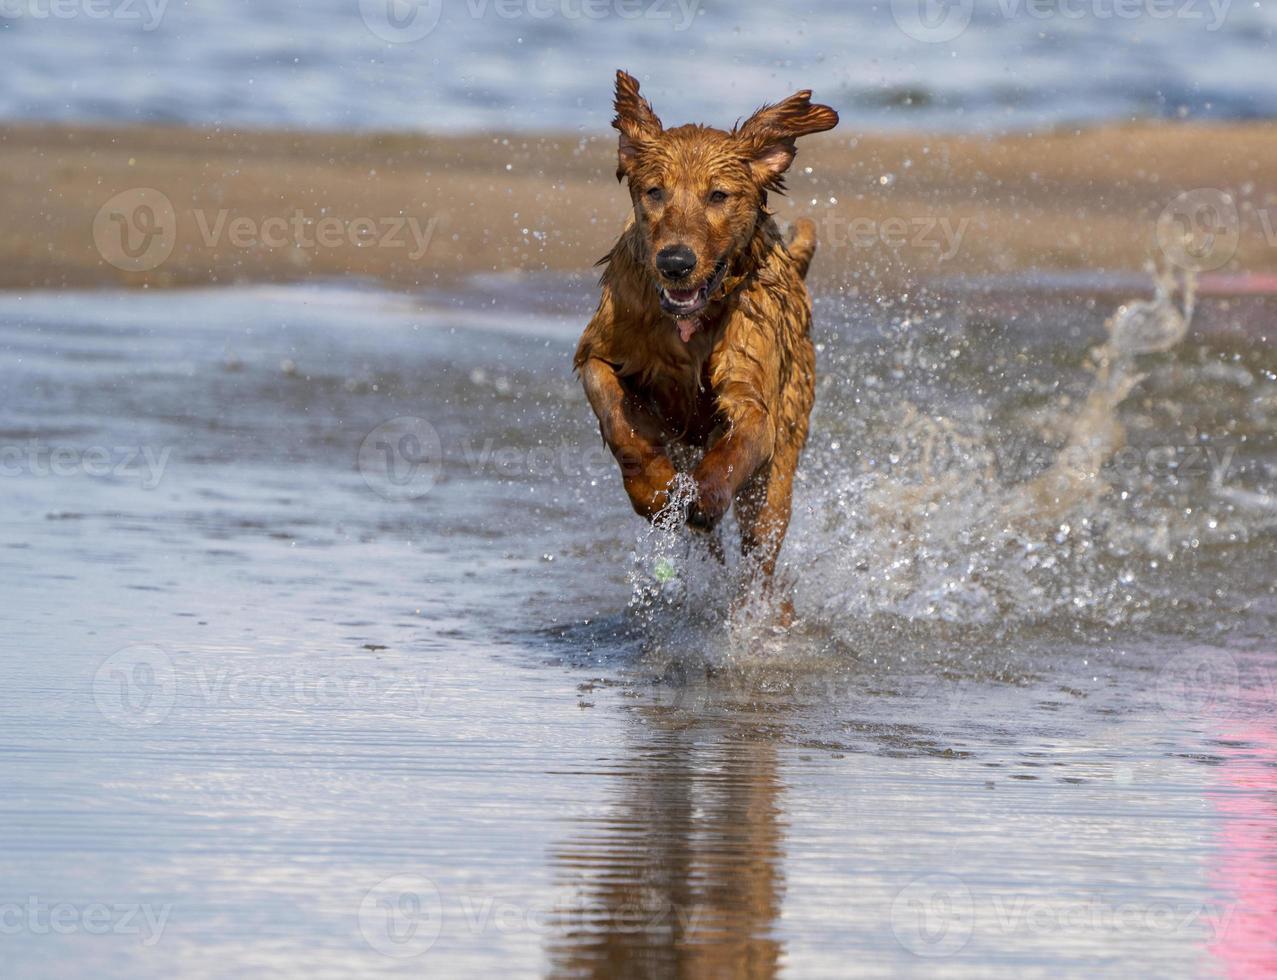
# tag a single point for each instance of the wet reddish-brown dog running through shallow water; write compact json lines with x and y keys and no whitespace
{"x":700,"y":356}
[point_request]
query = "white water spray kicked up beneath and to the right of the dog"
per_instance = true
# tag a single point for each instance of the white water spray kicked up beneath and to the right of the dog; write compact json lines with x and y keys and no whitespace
{"x":988,"y":509}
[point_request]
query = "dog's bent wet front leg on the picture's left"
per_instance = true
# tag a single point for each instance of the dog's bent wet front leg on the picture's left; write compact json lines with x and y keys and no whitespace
{"x":633,"y":435}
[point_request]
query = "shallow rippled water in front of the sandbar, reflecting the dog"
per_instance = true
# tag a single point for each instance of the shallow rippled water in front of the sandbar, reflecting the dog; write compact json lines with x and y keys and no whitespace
{"x":306,"y":691}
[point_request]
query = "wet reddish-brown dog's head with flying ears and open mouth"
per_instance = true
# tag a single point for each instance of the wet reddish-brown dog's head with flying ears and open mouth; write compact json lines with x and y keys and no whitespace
{"x":699,"y":192}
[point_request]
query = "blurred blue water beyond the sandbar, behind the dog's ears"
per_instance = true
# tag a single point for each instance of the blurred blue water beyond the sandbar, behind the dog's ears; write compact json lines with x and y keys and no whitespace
{"x":548,"y":65}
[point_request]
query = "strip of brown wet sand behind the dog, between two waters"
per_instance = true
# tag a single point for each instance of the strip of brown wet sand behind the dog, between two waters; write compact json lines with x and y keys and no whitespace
{"x":903,"y":206}
